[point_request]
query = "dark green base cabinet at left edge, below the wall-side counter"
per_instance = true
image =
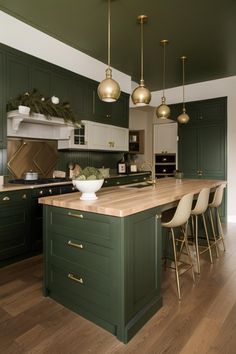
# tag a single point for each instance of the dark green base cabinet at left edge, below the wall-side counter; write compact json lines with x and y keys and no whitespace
{"x":14,"y":224}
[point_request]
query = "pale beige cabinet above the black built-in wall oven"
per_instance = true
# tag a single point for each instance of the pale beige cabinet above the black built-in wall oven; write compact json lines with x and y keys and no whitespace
{"x":165,"y":138}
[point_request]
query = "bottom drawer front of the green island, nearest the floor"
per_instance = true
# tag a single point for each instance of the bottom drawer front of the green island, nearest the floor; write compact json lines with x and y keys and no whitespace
{"x":87,"y":292}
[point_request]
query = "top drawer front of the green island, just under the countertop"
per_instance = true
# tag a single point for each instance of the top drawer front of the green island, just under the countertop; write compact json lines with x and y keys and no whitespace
{"x":83,"y":226}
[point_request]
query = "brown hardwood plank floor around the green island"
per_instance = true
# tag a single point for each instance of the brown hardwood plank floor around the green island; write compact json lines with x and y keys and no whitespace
{"x":204,"y":322}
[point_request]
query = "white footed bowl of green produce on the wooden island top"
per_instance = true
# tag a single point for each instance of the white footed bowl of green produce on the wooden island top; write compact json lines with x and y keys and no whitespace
{"x":88,"y":181}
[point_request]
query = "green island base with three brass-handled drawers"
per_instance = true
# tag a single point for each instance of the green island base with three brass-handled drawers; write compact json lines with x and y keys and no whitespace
{"x":105,"y":268}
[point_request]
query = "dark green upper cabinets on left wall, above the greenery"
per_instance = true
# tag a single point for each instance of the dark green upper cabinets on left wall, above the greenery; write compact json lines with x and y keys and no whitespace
{"x":25,"y":72}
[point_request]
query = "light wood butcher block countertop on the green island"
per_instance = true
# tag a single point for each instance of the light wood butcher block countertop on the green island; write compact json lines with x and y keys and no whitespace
{"x":127,"y":200}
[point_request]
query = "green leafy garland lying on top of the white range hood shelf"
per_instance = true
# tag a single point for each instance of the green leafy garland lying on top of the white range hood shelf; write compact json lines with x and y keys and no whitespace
{"x":49,"y":106}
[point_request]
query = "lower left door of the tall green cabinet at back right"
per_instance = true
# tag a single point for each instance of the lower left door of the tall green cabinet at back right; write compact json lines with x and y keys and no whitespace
{"x":188,"y":151}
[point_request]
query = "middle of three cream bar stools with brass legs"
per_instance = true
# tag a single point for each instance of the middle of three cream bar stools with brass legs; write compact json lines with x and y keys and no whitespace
{"x":199,"y":209}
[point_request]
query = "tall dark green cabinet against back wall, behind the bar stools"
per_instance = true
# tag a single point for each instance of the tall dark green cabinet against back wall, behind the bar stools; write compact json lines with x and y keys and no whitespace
{"x":202,"y":141}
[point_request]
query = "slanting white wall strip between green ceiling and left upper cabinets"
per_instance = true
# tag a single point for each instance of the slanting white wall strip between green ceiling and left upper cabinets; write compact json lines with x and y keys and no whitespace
{"x":21,"y":36}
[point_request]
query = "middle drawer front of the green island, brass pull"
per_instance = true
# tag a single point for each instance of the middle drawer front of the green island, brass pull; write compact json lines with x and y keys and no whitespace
{"x":83,"y":254}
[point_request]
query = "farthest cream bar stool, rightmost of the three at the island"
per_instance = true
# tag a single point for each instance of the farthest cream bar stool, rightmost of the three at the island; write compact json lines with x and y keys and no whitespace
{"x":216,"y":224}
